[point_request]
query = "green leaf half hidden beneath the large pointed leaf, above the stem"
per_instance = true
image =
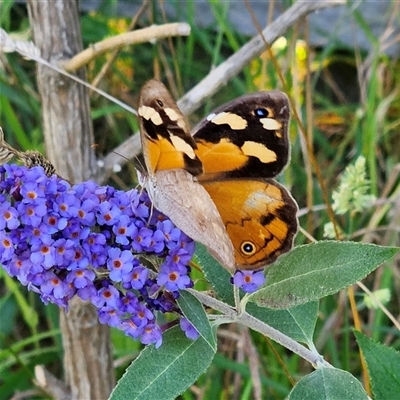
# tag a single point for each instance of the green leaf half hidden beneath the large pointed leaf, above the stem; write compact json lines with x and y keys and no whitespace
{"x":297,"y":322}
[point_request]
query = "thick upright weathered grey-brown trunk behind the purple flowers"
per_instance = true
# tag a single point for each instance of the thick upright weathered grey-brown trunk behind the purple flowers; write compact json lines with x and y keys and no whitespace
{"x":68,"y":135}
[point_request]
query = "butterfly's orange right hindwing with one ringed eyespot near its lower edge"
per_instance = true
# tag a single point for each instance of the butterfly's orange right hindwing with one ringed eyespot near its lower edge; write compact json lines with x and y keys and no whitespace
{"x":259,"y":216}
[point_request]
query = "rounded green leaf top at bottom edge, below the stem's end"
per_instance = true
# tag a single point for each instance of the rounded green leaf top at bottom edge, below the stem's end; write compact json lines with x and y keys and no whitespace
{"x":328,"y":384}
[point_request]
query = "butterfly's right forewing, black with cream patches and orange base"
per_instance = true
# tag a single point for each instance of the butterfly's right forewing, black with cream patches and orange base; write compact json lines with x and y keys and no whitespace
{"x":245,"y":138}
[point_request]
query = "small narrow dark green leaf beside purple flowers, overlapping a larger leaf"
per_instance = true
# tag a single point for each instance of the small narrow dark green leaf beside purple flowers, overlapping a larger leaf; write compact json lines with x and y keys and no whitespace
{"x":194,"y":312}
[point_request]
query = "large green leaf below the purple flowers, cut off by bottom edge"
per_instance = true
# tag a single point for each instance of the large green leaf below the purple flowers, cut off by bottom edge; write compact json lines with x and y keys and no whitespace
{"x":166,"y":372}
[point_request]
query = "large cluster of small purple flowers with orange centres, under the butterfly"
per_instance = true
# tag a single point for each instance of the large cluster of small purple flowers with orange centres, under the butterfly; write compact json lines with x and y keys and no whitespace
{"x":95,"y":242}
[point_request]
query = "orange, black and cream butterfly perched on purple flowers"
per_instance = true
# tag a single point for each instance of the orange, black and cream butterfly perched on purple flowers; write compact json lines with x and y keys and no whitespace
{"x":217,"y":186}
